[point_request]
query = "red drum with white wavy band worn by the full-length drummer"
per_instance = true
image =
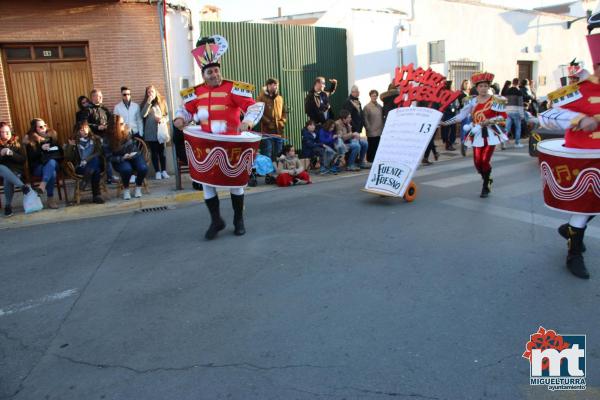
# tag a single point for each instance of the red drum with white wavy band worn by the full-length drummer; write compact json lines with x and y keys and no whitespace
{"x":220,"y":160}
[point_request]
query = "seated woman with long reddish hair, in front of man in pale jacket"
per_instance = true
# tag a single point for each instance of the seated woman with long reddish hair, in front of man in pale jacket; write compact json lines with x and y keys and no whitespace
{"x":126,"y":157}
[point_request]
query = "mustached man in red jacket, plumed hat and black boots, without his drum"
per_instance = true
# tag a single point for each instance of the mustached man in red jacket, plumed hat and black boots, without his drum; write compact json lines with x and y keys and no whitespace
{"x":216,"y":105}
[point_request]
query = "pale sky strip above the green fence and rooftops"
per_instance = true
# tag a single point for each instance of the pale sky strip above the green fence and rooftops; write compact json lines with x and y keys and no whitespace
{"x":240,"y":10}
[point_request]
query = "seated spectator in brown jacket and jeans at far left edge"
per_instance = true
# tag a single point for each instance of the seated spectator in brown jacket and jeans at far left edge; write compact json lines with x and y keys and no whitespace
{"x":12,"y":163}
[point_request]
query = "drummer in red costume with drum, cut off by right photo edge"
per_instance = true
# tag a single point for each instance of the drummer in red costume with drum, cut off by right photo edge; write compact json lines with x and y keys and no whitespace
{"x":576,"y":108}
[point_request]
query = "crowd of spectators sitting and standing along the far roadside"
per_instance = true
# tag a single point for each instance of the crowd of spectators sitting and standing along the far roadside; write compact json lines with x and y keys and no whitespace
{"x":104,"y":143}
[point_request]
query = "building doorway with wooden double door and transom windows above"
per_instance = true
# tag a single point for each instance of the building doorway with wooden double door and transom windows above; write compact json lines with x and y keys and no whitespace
{"x":45,"y":80}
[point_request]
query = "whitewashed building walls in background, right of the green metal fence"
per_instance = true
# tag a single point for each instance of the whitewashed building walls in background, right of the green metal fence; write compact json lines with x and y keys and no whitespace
{"x":494,"y":36}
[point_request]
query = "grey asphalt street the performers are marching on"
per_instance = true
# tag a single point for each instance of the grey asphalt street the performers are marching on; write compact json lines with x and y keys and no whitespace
{"x":332,"y":294}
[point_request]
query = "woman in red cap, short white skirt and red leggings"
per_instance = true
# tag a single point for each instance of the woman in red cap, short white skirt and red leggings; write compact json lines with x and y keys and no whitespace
{"x":485,"y":132}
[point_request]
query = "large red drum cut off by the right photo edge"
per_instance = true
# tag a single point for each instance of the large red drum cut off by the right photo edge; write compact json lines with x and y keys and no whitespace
{"x":571,"y":177}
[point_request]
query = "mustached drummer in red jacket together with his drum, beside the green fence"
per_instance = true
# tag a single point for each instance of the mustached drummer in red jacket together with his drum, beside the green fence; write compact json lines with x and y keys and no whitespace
{"x":220,"y":150}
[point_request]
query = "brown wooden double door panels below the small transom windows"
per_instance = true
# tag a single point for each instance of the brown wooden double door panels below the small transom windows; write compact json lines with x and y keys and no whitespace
{"x":47,"y":90}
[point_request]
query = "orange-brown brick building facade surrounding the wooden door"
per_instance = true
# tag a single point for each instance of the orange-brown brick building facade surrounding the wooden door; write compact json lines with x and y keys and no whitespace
{"x":122,"y":40}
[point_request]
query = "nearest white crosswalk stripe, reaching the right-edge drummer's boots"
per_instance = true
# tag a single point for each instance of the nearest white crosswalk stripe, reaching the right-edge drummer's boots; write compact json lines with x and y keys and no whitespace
{"x":516,"y":215}
